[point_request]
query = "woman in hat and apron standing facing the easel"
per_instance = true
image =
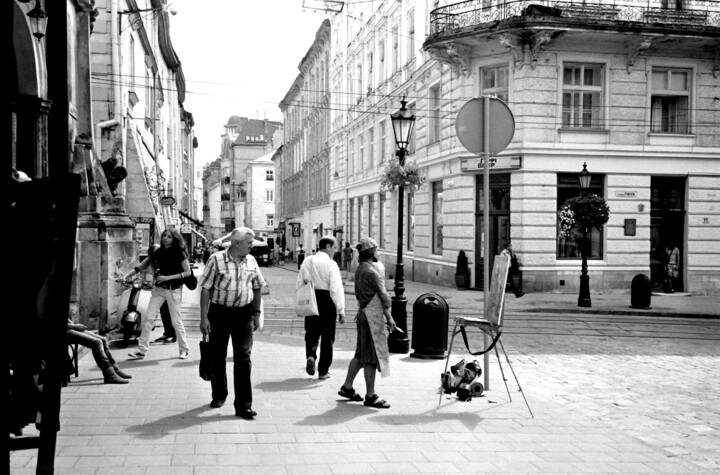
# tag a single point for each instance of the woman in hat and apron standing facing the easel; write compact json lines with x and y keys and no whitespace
{"x":374,"y":322}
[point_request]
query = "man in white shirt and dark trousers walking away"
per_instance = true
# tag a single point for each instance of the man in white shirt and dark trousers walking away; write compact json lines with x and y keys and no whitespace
{"x":324,"y":273}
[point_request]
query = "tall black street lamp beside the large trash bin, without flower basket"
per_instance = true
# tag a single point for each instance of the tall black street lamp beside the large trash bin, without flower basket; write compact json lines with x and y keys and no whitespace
{"x":402,"y":129}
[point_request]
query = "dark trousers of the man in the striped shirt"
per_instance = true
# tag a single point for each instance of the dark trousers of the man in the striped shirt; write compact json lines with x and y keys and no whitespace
{"x":235,"y":322}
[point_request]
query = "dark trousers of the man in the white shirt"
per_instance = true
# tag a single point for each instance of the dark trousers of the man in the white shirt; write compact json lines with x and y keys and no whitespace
{"x":320,"y":331}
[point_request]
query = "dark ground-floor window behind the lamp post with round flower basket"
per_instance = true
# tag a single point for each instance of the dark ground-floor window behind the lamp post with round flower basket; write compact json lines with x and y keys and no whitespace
{"x":569,"y":247}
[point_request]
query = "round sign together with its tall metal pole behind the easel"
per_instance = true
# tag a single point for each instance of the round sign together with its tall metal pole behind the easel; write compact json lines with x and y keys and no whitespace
{"x":481,"y":136}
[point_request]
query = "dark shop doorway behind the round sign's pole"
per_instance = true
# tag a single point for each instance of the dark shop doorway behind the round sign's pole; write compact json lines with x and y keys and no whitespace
{"x":499,"y":221}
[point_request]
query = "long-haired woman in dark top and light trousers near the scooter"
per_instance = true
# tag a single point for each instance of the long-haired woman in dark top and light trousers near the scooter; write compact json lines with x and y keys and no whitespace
{"x":170,"y":262}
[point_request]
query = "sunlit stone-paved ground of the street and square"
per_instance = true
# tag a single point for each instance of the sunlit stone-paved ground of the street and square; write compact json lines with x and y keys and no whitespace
{"x":610,"y":392}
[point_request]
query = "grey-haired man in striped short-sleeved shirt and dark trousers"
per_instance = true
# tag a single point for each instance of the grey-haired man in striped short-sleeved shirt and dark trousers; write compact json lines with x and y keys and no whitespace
{"x":230,"y":306}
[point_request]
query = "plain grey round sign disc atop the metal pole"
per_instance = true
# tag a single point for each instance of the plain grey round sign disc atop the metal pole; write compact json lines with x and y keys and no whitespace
{"x":469,"y":125}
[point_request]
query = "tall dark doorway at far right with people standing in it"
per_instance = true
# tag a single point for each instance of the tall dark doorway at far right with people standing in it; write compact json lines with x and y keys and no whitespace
{"x":667,"y":227}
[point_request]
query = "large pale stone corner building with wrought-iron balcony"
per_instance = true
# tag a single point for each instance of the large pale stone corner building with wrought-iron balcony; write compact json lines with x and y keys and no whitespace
{"x":630,"y":88}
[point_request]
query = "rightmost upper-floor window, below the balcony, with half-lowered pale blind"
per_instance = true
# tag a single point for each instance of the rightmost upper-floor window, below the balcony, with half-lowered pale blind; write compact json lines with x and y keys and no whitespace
{"x":670,"y":101}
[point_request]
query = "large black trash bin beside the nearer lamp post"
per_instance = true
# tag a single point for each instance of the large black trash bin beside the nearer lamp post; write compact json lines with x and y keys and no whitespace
{"x":430,"y":327}
